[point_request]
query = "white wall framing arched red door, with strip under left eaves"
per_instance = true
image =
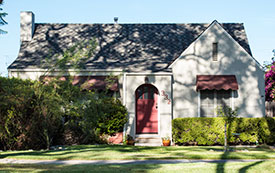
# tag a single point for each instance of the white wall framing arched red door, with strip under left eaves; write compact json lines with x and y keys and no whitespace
{"x":128,"y":83}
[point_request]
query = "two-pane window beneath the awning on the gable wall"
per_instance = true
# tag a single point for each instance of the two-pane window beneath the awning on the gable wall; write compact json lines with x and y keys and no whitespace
{"x":211,"y":99}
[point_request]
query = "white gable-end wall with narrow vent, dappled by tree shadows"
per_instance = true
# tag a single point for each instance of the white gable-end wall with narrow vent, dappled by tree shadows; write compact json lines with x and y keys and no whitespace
{"x":232,"y":60}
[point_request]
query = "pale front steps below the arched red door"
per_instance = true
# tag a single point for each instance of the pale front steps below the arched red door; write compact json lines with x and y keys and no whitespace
{"x":148,"y":141}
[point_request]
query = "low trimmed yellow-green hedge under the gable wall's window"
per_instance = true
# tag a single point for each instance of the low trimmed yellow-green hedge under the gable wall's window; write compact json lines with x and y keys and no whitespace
{"x":210,"y":131}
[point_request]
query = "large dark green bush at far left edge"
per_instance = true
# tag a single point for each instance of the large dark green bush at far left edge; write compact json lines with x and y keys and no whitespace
{"x":30,"y":115}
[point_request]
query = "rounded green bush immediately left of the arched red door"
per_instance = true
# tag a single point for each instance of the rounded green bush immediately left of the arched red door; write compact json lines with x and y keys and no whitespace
{"x":102,"y":115}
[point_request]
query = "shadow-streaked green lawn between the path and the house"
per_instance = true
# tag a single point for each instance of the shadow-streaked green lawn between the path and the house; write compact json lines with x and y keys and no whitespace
{"x":115,"y":152}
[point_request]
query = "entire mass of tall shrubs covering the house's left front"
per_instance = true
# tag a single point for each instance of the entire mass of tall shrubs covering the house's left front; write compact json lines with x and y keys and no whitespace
{"x":35,"y":115}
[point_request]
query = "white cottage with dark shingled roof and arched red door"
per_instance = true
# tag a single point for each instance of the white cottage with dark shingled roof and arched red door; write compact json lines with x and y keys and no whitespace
{"x":165,"y":71}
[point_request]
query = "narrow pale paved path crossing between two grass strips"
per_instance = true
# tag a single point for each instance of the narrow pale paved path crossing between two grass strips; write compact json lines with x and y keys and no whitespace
{"x":100,"y":162}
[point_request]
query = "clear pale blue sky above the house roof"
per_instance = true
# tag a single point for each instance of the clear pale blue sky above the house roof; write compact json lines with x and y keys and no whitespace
{"x":258,"y":17}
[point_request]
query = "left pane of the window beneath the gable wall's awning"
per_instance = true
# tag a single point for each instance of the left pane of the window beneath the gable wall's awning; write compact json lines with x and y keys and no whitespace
{"x":207,"y":103}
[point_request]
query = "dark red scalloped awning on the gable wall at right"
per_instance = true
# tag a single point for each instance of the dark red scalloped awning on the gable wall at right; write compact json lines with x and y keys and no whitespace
{"x":216,"y":82}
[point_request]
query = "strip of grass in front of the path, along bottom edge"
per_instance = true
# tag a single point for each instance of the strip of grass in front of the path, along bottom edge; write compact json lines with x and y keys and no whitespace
{"x":261,"y":166}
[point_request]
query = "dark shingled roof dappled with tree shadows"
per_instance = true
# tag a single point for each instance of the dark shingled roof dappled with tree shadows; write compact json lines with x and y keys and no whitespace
{"x":131,"y":47}
